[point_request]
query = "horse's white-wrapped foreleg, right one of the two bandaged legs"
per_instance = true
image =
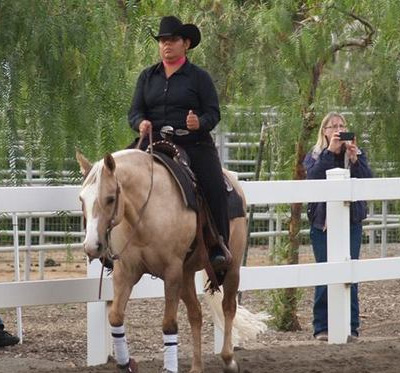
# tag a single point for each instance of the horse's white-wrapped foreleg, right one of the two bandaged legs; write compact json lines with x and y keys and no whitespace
{"x":172,"y":290}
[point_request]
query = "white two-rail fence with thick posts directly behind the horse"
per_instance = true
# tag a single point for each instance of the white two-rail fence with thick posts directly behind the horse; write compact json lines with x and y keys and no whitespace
{"x":337,"y":273}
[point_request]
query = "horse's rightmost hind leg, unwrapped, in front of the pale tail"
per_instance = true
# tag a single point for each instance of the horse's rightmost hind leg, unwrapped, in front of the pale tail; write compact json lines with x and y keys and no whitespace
{"x":231,"y":284}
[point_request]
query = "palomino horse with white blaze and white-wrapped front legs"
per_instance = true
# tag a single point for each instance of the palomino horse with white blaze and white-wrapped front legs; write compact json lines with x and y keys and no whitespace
{"x":152,"y":231}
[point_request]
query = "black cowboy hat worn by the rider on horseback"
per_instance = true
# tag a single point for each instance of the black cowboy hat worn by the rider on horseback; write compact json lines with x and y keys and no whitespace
{"x":172,"y":26}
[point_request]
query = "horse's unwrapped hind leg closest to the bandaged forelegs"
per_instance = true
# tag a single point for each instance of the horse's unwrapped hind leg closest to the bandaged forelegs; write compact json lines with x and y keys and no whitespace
{"x":195,"y":319}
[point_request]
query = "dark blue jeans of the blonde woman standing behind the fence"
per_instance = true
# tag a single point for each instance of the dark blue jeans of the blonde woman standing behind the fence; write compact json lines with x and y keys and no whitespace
{"x":319,"y":244}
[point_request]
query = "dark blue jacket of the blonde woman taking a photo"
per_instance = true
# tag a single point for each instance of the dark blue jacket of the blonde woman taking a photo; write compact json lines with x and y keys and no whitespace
{"x":316,"y":169}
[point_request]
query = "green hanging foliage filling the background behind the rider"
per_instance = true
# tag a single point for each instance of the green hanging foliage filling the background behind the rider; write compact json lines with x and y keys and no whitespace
{"x":68,"y":70}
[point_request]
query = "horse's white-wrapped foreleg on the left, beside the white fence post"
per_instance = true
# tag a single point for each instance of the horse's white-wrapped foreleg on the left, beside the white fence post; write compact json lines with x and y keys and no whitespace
{"x":122,"y":289}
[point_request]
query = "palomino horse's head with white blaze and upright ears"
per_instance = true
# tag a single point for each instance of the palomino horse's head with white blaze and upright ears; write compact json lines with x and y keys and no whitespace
{"x":102,"y":205}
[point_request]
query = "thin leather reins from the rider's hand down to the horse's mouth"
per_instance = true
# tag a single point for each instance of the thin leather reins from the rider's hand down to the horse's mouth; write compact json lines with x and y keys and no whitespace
{"x":140,"y":214}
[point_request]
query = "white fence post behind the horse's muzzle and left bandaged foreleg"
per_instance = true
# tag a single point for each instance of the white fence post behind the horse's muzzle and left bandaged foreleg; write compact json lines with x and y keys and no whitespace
{"x":99,"y":345}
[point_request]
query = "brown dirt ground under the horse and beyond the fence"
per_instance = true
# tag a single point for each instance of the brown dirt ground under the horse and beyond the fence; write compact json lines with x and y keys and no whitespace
{"x":55,"y":336}
